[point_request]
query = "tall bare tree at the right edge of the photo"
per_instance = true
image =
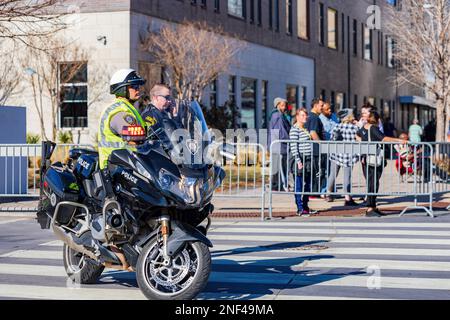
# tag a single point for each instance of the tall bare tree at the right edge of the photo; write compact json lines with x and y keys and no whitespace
{"x":421,"y":31}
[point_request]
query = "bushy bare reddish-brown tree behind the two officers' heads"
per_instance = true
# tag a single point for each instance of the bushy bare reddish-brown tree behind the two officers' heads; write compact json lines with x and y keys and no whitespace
{"x":193,"y":55}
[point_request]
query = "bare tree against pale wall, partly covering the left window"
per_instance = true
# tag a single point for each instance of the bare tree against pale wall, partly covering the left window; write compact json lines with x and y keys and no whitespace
{"x":60,"y":62}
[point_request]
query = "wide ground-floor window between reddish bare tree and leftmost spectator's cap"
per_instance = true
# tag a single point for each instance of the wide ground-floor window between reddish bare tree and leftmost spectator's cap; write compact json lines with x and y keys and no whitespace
{"x":248,"y":103}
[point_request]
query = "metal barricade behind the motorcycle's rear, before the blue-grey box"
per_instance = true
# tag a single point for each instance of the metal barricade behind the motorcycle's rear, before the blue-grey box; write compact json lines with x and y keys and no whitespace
{"x":20,"y":165}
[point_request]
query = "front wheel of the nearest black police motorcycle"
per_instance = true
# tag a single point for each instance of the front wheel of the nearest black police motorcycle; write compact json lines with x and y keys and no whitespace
{"x":184,"y":279}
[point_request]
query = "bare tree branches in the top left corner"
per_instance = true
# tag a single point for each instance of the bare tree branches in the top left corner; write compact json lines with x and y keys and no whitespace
{"x":25,"y":20}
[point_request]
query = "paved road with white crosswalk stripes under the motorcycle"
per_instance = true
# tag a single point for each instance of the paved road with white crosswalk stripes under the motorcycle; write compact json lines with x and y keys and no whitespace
{"x":298,"y":258}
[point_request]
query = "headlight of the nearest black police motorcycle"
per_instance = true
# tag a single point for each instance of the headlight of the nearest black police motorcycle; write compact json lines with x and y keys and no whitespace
{"x":184,"y":188}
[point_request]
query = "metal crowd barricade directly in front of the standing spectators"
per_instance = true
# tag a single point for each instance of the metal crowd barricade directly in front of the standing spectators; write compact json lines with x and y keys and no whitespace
{"x":406,"y":171}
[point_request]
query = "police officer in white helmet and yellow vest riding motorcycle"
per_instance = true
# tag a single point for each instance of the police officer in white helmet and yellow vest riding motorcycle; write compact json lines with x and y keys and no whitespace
{"x":125,"y":85}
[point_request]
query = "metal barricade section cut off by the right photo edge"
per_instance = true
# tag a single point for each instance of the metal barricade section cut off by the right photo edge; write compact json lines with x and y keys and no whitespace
{"x":441,"y":168}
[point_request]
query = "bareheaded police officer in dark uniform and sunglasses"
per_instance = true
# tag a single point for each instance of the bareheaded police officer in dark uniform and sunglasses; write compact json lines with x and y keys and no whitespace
{"x":159,"y":113}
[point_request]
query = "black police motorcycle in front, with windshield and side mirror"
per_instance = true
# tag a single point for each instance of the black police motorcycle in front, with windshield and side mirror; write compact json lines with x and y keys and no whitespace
{"x":150,"y":214}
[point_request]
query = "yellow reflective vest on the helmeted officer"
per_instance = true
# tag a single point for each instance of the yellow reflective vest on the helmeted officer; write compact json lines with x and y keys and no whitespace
{"x":108,"y":141}
